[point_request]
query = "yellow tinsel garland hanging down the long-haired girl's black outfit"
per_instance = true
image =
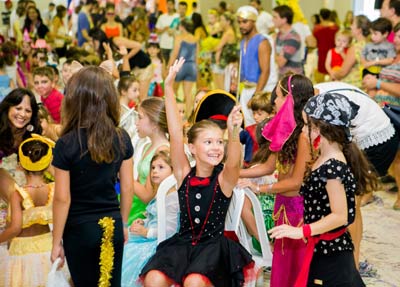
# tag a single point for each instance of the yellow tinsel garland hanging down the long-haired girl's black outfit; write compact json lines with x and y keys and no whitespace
{"x":106,"y":252}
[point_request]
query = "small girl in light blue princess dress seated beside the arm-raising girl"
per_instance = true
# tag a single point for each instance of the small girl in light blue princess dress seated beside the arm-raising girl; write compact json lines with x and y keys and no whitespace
{"x":142,"y":241}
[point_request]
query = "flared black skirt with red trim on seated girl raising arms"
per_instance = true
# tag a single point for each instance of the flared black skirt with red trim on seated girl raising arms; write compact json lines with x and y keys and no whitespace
{"x":222,"y":260}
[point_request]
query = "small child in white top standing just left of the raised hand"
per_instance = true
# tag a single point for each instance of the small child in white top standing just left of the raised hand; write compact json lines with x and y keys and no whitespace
{"x":156,"y":86}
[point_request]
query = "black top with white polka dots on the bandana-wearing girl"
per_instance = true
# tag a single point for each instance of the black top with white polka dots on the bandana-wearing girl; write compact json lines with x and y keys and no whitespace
{"x":316,"y":202}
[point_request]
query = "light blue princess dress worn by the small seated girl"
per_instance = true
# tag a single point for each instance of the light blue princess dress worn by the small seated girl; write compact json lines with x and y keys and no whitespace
{"x":139,"y":249}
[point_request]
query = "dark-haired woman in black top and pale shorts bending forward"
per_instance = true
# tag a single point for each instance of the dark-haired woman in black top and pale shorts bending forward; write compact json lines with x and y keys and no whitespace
{"x":139,"y":61}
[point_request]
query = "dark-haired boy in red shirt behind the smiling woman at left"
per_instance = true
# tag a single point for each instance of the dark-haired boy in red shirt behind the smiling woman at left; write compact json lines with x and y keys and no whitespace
{"x":43,"y":79}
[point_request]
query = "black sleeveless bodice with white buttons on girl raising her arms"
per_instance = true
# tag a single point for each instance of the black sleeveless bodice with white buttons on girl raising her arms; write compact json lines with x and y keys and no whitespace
{"x":200,"y":198}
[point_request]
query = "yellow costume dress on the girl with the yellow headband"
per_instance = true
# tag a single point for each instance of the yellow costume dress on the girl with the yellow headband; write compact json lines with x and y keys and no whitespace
{"x":29,"y":257}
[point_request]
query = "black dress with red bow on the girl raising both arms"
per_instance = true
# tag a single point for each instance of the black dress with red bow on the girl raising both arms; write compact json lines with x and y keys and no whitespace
{"x":200,"y":245}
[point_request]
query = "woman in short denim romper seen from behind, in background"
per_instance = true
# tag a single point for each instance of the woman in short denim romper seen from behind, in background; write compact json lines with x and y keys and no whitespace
{"x":186,"y":46}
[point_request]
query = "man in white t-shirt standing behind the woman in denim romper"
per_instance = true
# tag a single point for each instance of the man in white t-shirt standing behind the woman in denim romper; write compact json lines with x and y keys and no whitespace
{"x":165,"y":31}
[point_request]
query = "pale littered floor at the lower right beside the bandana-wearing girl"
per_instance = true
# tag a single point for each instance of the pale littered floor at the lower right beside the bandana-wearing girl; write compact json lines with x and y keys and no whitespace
{"x":381,"y":241}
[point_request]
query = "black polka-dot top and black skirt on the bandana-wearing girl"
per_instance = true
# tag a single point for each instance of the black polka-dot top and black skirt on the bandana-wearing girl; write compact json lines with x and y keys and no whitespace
{"x":333,"y":260}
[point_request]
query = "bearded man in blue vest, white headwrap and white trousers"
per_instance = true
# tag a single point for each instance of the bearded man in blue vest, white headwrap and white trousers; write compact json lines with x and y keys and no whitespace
{"x":257,"y":71}
